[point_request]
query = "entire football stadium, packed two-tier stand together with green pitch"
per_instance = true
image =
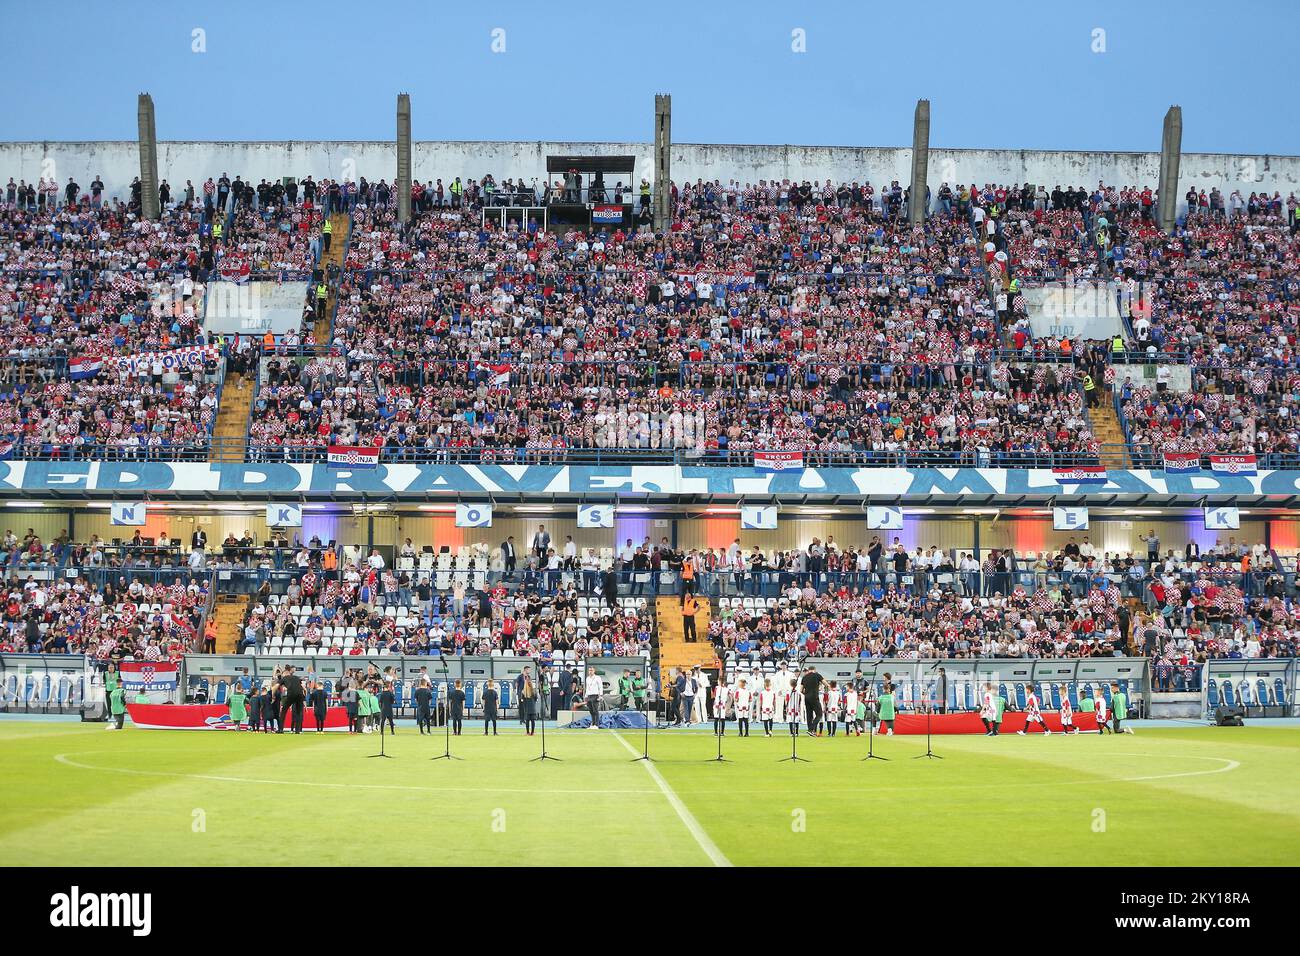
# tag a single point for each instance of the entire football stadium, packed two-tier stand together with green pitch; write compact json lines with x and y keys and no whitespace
{"x":562,"y":499}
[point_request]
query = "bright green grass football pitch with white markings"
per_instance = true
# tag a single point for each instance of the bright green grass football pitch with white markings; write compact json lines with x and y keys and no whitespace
{"x":80,"y":795}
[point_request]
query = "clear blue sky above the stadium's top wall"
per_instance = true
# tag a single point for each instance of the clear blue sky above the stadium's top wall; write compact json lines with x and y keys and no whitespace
{"x":999,"y":73}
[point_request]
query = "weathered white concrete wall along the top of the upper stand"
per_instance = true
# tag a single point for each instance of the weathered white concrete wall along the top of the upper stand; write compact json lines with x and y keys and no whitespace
{"x":118,"y":163}
